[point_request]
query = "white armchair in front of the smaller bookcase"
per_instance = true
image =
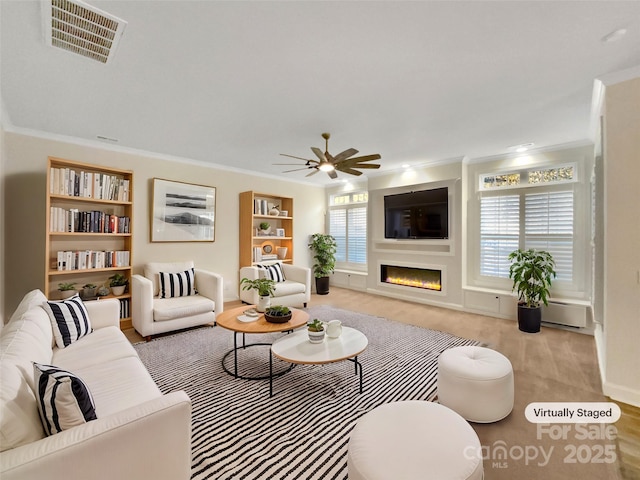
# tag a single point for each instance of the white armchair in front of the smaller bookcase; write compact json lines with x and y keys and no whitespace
{"x":295,"y":291}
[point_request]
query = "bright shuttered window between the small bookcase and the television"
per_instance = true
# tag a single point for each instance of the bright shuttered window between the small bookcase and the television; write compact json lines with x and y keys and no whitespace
{"x":348,"y":225}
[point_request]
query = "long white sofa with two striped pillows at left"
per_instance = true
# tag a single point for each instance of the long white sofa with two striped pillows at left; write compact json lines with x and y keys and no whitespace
{"x":139,"y":432}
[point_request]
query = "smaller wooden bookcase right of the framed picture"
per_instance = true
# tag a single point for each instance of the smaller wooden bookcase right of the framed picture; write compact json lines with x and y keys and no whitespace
{"x":251,"y":215}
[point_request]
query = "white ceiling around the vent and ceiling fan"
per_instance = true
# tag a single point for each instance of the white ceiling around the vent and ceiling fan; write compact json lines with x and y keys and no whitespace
{"x":236,"y":83}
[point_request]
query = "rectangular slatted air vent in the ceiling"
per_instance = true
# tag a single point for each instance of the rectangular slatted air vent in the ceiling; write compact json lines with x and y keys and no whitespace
{"x":82,"y":29}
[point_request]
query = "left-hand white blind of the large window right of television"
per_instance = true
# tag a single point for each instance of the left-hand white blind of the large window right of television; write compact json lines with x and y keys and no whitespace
{"x":499,"y":233}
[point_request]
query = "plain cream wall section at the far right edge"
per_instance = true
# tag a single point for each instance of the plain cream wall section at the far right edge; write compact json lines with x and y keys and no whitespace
{"x":621,"y":348}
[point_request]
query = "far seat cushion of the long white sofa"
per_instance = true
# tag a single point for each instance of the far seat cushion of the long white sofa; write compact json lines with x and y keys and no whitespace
{"x":105,"y":344}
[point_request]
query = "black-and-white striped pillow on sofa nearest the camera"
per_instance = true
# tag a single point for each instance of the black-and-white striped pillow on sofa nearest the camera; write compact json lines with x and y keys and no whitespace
{"x":64,"y":401}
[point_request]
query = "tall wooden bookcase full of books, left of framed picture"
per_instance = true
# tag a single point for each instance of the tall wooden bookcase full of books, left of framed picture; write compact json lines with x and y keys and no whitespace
{"x":89,"y":228}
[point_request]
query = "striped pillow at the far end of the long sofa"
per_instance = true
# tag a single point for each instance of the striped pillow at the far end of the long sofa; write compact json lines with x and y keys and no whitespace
{"x":69,"y":319}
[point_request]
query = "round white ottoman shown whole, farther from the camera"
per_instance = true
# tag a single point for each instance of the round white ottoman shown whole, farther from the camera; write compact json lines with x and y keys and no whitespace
{"x":476,"y":382}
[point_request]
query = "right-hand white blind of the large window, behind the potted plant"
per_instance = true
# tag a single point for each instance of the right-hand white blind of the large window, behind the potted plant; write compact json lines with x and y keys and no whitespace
{"x":549,"y":226}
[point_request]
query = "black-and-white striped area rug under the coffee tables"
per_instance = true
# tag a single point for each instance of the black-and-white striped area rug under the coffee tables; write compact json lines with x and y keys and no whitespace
{"x":302,"y":432}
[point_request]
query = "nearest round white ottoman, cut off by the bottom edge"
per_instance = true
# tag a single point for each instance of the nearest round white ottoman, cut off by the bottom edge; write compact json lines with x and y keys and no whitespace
{"x":413,"y":440}
